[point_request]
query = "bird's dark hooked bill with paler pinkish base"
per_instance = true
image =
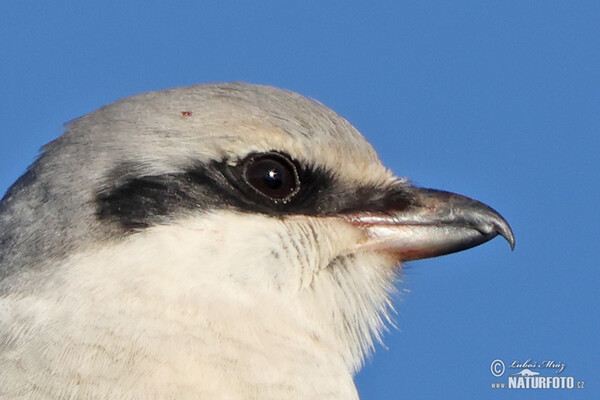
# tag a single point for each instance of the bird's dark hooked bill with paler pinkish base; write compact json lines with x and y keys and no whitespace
{"x":431,"y":224}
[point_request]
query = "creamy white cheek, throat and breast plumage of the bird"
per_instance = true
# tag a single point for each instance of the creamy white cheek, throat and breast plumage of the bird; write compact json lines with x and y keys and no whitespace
{"x":185,"y":315}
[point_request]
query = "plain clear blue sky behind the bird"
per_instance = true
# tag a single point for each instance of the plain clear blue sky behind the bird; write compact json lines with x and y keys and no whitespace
{"x":497,"y":100}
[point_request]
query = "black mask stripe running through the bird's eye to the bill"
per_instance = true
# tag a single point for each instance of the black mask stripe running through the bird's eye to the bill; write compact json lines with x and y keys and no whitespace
{"x":141,"y":201}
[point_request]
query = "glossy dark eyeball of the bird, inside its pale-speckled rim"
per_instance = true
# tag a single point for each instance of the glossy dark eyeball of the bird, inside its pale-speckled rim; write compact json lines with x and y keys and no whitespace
{"x":271,"y":177}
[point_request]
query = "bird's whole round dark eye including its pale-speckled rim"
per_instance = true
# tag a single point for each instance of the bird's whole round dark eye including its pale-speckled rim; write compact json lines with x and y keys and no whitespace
{"x":272,"y":175}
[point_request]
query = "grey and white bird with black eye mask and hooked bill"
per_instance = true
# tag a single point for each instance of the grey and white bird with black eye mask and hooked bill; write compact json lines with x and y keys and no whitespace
{"x":215,"y":241}
